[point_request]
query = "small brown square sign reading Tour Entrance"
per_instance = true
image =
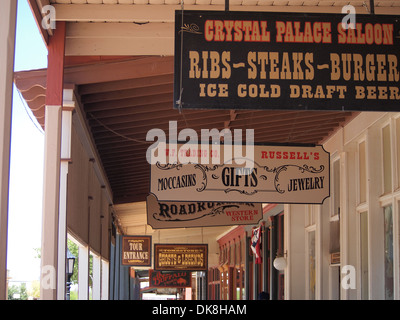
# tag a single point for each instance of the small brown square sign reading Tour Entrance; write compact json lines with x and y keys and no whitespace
{"x":136,"y":251}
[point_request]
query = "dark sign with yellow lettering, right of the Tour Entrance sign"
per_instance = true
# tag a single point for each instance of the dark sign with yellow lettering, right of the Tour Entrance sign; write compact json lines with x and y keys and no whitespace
{"x":174,"y":257}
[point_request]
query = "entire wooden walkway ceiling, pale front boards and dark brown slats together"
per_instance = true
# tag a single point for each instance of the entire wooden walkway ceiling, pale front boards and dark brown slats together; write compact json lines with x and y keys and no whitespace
{"x":124,"y":97}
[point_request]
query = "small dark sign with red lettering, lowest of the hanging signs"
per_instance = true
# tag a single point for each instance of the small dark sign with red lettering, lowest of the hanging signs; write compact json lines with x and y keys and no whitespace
{"x":165,"y":279}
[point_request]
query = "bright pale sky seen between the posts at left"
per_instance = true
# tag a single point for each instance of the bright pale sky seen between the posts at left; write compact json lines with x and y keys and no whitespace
{"x":27,"y":152}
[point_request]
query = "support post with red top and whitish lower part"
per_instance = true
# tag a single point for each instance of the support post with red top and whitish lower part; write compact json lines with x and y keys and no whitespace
{"x":51,"y":181}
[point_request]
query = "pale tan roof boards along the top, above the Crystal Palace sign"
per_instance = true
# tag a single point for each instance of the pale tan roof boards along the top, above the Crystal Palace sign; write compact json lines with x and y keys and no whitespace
{"x":146,"y":27}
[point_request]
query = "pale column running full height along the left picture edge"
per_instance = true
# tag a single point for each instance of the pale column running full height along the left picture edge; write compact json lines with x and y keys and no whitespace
{"x":8,"y":12}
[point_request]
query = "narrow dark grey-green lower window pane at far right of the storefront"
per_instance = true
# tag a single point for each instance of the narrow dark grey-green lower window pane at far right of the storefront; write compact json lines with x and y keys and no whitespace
{"x":388,"y":223}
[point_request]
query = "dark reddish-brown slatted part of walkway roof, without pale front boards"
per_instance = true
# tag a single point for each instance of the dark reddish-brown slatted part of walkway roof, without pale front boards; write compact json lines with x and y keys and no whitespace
{"x":124,"y":99}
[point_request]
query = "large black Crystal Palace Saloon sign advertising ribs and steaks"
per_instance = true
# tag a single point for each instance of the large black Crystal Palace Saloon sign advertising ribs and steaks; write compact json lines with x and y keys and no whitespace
{"x":303,"y":61}
